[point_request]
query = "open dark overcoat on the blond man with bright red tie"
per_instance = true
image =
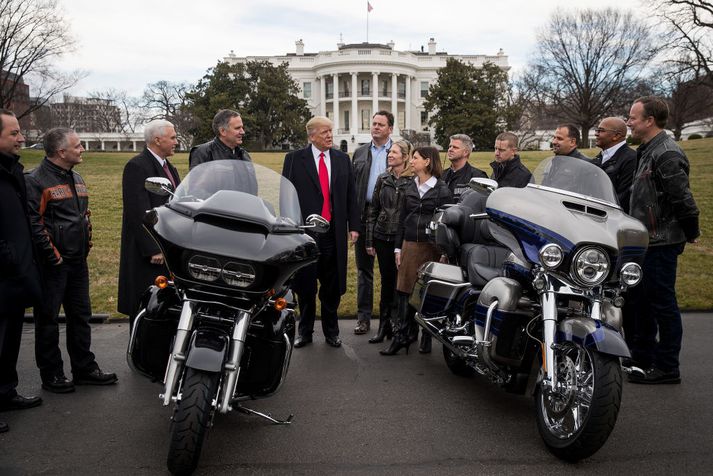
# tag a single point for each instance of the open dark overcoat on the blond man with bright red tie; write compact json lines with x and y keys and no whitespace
{"x":300,"y":169}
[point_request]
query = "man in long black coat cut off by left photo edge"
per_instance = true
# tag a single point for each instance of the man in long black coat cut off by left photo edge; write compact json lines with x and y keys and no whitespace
{"x":19,"y":275}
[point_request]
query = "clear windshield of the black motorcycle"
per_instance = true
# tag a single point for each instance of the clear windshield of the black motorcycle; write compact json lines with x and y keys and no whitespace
{"x":239,"y":188}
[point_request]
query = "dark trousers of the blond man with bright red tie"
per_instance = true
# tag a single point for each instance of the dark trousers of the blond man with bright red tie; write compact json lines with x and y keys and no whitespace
{"x":325,"y":270}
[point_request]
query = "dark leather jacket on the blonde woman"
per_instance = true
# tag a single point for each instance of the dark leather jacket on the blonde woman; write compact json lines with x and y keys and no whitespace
{"x":386,"y":204}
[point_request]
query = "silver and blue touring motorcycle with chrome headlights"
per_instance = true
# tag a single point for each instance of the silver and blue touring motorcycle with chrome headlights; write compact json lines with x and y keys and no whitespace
{"x":532,"y":296}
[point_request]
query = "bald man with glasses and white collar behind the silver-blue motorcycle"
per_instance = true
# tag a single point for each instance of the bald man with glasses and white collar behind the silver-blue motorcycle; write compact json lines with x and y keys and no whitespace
{"x":617,"y":159}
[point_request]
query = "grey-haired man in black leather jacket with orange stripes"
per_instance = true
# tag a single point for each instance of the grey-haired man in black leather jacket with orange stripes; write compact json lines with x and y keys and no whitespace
{"x":59,"y":213}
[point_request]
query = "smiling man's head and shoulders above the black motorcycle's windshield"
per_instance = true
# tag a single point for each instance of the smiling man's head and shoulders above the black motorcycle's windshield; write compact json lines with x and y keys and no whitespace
{"x":229,"y":132}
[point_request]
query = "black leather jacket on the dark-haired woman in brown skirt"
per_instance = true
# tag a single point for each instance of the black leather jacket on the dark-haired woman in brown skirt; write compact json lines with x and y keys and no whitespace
{"x":417,"y":212}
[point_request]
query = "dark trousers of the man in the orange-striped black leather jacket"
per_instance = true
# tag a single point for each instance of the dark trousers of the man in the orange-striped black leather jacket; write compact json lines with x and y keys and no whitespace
{"x":68,"y":285}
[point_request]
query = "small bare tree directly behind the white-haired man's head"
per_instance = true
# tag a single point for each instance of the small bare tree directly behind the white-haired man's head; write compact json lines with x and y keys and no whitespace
{"x":167,"y":100}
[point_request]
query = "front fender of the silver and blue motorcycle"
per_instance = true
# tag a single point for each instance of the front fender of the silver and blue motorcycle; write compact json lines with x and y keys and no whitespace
{"x":592,"y":334}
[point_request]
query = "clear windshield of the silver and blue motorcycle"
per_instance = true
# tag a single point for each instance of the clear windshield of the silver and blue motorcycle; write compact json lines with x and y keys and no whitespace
{"x":574,"y":176}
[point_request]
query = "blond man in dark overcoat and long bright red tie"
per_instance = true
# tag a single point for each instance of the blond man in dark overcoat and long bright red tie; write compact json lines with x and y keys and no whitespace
{"x":324,"y":181}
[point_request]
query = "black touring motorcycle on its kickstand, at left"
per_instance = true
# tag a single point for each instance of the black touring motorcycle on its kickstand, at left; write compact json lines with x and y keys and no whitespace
{"x":219,"y":330}
